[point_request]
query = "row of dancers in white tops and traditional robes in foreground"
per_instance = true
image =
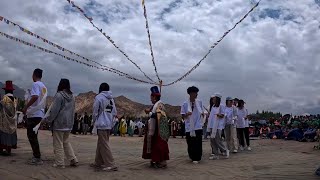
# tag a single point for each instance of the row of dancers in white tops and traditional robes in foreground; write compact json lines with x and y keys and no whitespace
{"x":229,"y":119}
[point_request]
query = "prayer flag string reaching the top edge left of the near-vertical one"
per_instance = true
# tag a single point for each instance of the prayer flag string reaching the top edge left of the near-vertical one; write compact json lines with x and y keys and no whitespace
{"x":90,"y":19}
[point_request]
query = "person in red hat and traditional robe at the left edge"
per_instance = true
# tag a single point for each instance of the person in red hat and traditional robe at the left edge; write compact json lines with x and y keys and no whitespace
{"x":8,"y":126}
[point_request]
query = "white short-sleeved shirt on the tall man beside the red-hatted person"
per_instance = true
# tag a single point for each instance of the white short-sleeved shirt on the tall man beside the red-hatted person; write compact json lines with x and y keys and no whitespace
{"x":38,"y":89}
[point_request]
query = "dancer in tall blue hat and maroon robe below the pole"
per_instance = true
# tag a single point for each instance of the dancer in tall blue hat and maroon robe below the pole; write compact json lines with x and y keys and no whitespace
{"x":157,"y":133}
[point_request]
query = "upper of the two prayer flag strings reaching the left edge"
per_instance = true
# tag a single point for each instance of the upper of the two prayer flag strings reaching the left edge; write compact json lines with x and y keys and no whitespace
{"x":57,"y":46}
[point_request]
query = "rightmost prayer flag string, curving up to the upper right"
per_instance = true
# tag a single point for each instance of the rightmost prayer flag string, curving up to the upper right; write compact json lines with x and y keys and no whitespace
{"x":214,"y":45}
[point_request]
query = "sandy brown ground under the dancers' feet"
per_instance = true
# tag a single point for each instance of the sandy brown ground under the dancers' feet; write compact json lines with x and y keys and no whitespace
{"x":270,"y":159}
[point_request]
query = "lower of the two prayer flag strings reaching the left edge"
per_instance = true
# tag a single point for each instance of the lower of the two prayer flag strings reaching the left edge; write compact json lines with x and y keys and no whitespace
{"x":71,"y":59}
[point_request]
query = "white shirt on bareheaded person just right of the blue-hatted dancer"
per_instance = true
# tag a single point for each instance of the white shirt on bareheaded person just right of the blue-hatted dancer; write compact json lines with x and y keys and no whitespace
{"x":196,"y":115}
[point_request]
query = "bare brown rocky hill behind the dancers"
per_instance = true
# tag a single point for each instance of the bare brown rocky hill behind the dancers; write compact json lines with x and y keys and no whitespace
{"x":125,"y":106}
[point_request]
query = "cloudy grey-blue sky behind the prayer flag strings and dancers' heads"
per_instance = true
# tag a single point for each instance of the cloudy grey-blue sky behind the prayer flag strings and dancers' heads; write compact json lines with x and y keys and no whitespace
{"x":271,"y":60}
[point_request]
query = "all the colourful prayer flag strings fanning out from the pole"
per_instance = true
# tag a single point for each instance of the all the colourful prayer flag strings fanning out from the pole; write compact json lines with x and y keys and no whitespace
{"x":106,"y":68}
